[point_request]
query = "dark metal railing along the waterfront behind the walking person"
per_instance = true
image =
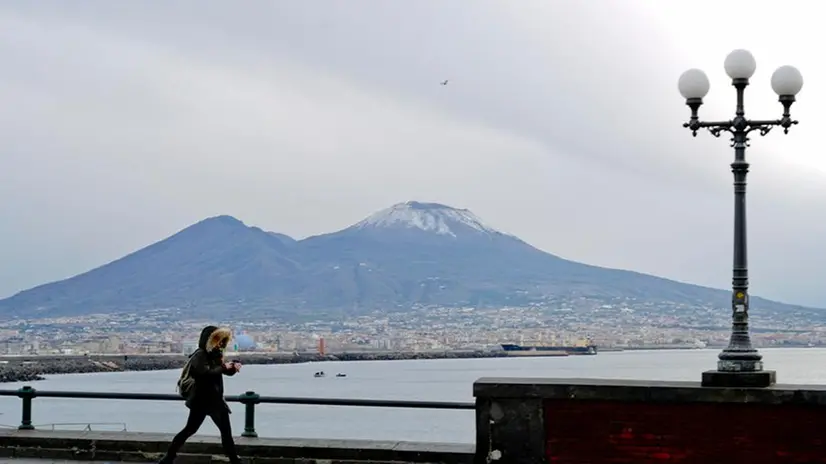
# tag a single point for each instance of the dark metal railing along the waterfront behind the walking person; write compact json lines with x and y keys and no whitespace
{"x":248,"y":399}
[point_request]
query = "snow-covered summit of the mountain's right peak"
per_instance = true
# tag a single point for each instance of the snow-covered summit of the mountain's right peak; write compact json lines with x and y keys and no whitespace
{"x":431,"y":217}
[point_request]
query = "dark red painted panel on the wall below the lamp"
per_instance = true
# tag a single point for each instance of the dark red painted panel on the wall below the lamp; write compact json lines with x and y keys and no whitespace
{"x":604,"y":432}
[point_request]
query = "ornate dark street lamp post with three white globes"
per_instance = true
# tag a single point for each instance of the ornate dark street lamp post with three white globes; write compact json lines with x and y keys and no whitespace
{"x":740,"y":365}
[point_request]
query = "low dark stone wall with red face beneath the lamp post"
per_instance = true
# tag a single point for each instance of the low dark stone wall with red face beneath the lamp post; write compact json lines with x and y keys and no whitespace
{"x":533,"y":421}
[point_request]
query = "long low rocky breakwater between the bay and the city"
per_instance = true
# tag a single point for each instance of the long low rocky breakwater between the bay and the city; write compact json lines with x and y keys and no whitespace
{"x":31,"y":368}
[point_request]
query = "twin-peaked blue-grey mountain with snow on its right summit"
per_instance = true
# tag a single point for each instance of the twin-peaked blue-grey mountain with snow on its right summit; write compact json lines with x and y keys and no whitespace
{"x":407,"y":255}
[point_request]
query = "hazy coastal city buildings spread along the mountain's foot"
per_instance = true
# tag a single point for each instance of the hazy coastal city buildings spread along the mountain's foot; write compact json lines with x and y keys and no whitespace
{"x":621,"y":324}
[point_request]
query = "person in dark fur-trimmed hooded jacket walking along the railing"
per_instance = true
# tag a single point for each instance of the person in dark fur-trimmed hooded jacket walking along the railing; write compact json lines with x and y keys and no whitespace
{"x":202,"y":385}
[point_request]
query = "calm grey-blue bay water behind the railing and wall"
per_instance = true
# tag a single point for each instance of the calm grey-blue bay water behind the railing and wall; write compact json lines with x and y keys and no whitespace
{"x":430,"y":380}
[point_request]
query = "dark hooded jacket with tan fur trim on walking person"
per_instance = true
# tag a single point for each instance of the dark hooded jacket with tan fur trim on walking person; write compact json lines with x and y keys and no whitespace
{"x":207,"y":370}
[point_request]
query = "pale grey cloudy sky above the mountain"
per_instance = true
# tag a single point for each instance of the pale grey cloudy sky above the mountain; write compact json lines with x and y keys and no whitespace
{"x":124,"y":122}
